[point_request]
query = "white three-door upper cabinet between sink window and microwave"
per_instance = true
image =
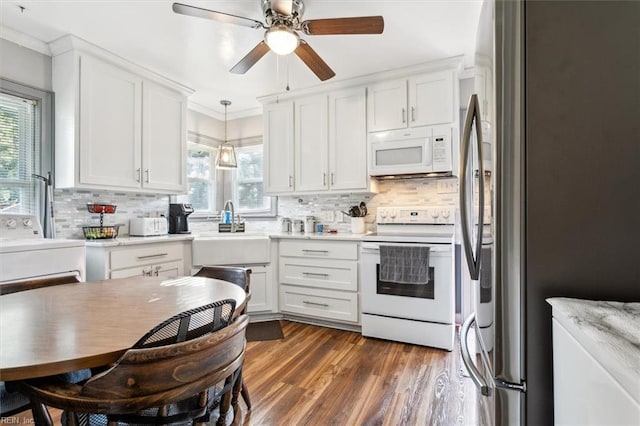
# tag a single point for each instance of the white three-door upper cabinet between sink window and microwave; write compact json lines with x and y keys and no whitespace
{"x":317,"y":143}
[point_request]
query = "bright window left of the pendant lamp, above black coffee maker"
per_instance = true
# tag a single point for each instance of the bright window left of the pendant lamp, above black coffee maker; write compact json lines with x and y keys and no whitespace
{"x":201,"y":177}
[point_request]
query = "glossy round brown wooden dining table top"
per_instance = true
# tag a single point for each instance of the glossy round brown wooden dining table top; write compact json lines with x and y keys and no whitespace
{"x":69,"y":327}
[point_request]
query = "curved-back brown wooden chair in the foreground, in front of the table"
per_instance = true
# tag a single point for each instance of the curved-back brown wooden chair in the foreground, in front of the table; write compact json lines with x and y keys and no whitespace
{"x":167,"y":377}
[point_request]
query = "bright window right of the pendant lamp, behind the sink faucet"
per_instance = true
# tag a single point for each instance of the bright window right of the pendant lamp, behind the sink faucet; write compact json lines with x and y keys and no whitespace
{"x":248,"y":183}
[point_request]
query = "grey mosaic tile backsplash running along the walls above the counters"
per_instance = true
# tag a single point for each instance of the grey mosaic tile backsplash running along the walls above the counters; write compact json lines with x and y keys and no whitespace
{"x":71,"y":212}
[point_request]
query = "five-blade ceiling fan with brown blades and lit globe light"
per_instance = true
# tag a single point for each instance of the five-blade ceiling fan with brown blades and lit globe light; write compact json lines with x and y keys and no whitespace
{"x":283,"y":22}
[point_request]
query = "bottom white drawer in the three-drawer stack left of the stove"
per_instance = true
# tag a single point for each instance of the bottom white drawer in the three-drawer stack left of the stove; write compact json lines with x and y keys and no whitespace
{"x":328,"y":304}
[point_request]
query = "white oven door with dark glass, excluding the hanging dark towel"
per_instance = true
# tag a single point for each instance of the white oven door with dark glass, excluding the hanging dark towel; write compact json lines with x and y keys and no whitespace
{"x":431,"y":302}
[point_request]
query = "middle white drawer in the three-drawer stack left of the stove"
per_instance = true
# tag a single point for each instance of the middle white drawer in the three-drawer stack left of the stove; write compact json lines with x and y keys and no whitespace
{"x":334,"y":274}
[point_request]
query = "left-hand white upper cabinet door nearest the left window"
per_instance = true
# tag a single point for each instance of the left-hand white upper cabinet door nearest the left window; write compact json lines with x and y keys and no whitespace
{"x":110,"y":125}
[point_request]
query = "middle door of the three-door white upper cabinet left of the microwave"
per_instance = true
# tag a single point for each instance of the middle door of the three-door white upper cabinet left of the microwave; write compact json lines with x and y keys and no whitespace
{"x":311,"y":144}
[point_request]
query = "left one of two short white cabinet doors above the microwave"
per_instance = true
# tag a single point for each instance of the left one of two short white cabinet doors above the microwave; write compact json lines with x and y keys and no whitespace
{"x":387,"y":105}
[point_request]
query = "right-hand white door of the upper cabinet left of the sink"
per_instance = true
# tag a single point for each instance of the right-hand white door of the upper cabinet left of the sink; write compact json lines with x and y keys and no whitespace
{"x":164,"y":139}
